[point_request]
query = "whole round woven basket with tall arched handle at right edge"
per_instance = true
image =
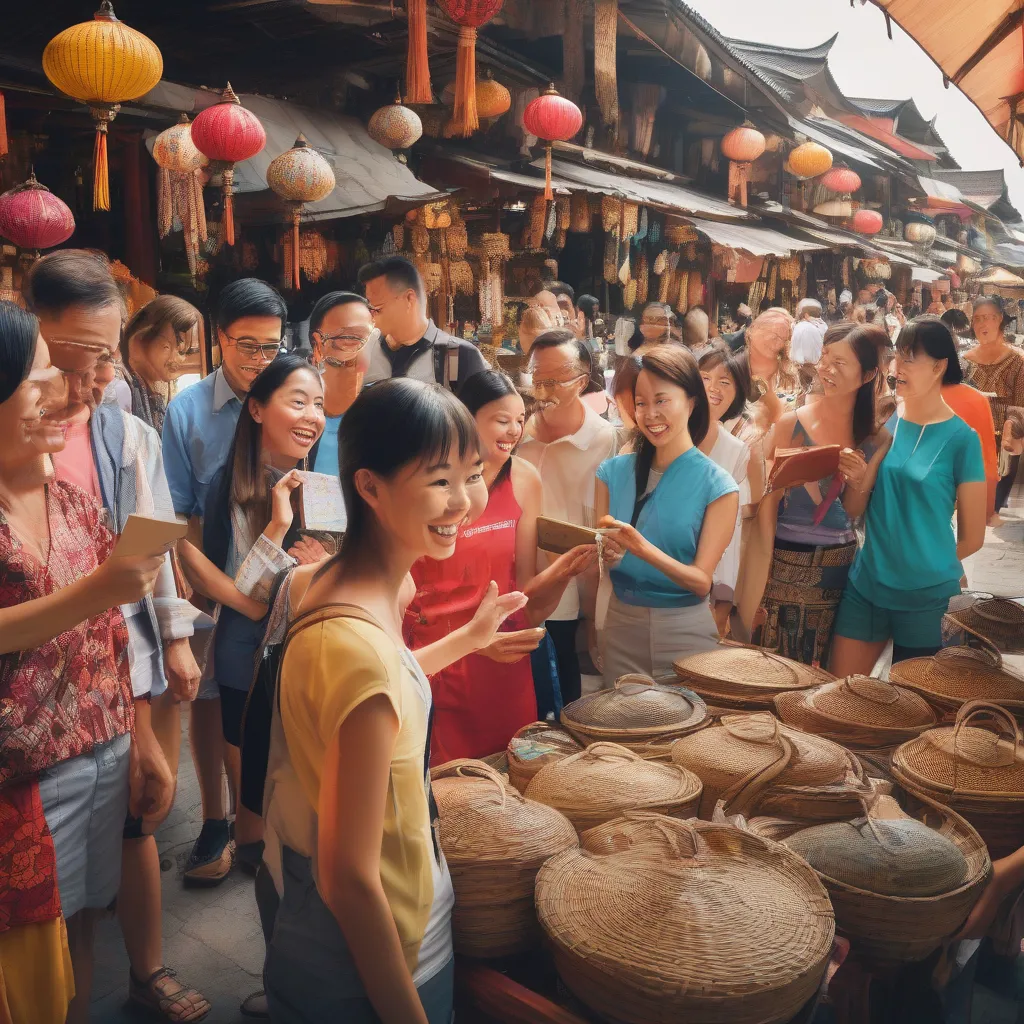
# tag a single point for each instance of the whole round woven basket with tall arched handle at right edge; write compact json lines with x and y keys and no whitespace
{"x":978,"y":773}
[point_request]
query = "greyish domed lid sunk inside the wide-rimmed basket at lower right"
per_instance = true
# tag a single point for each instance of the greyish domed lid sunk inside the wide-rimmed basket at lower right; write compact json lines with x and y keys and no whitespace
{"x":892,"y":858}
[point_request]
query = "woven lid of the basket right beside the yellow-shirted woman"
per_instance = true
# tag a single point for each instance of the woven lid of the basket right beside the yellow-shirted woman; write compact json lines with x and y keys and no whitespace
{"x":481,"y":819}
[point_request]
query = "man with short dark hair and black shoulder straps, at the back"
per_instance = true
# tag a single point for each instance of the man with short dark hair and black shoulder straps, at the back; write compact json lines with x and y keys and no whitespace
{"x":412,"y":346}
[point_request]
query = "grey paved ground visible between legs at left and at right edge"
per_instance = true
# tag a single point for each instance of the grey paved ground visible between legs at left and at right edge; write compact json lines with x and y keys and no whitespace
{"x":214,"y":940}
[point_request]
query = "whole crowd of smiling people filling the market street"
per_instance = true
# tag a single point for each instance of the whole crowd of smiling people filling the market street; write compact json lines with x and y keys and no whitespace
{"x":324,"y":674}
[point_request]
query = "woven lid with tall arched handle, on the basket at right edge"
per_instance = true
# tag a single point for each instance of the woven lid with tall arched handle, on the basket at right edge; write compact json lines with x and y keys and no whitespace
{"x":967,"y":758}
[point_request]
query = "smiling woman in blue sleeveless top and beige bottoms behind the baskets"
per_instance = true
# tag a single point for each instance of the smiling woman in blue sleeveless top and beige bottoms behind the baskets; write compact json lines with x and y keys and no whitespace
{"x":668,"y":514}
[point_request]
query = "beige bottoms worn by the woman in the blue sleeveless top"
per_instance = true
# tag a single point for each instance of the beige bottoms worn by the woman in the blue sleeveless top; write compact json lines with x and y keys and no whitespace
{"x":649,"y":641}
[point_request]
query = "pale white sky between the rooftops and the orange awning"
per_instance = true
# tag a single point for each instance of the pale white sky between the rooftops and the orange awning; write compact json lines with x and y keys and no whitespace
{"x":866,"y":63}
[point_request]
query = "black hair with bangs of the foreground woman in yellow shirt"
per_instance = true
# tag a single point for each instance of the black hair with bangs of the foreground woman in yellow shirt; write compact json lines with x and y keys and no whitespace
{"x":397,"y":423}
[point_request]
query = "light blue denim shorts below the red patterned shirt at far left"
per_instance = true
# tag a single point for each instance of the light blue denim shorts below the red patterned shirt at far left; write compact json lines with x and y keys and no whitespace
{"x":86,"y":800}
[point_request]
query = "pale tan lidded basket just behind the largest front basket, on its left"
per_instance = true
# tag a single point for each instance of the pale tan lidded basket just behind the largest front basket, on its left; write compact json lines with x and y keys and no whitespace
{"x":606,"y":781}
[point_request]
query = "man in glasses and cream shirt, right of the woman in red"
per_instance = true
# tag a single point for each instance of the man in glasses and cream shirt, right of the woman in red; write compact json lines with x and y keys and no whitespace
{"x":567,"y":442}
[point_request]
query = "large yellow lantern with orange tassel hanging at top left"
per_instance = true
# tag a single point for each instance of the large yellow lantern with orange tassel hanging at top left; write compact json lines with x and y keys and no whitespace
{"x":103,"y":64}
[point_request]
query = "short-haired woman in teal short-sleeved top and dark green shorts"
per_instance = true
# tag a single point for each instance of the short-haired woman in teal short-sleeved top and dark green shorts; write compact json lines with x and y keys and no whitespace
{"x":910,"y":567}
